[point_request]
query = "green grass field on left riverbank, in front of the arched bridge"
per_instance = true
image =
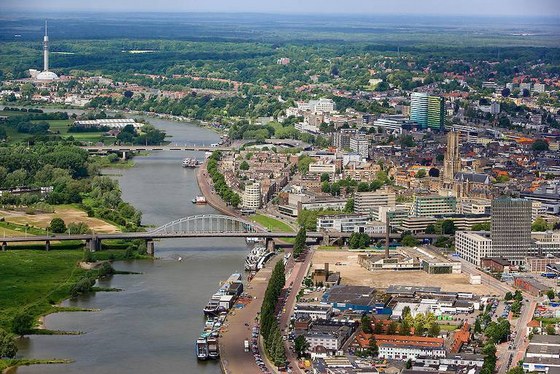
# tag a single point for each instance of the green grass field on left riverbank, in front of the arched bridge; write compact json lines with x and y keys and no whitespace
{"x":33,"y":281}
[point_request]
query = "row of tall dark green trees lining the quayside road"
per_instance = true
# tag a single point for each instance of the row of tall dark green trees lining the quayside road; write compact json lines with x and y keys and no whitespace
{"x":269,"y":326}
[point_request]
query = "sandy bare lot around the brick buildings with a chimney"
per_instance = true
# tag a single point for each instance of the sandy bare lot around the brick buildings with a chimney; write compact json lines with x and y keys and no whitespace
{"x":353,"y":274}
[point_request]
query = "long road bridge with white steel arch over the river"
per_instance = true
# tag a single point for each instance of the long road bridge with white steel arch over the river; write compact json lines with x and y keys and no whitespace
{"x":198,"y":226}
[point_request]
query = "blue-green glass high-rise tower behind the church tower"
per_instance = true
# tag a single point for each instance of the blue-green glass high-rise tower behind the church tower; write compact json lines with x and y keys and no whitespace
{"x":428,"y":111}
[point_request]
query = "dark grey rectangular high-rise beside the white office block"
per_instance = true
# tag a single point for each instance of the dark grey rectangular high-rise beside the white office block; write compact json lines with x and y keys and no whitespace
{"x":511,"y":228}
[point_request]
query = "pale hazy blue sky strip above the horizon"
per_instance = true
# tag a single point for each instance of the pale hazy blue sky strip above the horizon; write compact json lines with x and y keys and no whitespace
{"x":374,"y":7}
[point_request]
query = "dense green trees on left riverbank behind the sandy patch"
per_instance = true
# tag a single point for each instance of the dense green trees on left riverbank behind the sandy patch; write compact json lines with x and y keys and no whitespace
{"x":72,"y":174}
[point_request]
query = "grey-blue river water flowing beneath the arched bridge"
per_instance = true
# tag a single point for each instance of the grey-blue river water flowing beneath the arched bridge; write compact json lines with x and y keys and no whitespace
{"x":152,"y":324}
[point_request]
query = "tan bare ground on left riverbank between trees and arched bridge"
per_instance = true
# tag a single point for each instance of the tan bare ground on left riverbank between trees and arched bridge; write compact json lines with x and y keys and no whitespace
{"x":67,"y":213}
